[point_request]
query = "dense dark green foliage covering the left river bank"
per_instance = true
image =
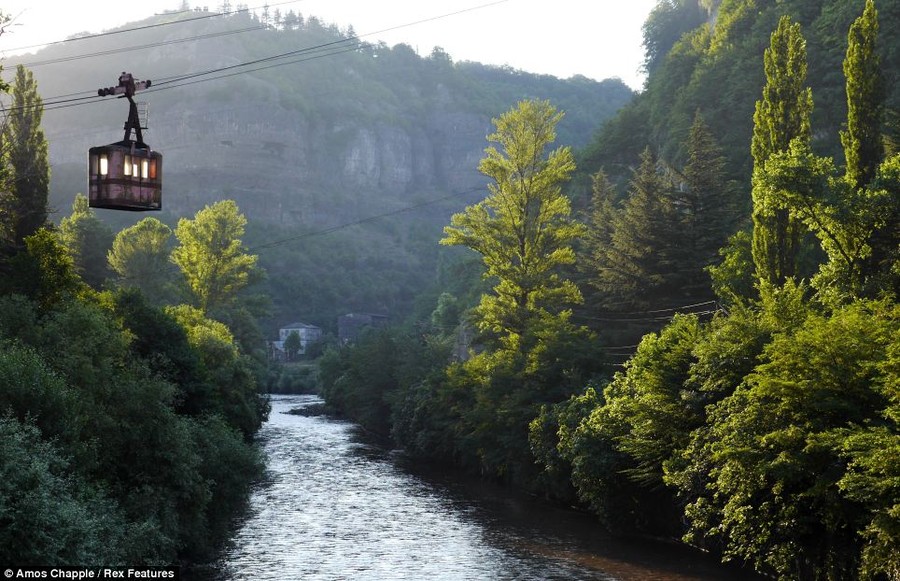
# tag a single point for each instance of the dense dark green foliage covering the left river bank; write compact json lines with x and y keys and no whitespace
{"x":125,"y":429}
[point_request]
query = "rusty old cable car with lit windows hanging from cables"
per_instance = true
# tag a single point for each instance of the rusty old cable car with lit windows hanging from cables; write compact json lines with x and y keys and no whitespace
{"x":126,"y":175}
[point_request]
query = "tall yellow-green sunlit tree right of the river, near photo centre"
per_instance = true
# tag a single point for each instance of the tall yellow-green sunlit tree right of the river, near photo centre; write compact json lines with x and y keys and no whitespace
{"x":523,"y":229}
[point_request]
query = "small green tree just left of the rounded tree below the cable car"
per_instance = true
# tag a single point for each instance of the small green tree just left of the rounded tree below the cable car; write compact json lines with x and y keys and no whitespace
{"x":87,"y":239}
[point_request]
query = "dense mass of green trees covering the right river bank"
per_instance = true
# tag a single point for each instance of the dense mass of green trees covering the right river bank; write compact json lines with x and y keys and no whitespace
{"x":764,"y":429}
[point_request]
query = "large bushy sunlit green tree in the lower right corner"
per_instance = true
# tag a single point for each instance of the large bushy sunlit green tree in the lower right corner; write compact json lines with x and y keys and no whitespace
{"x":775,"y":452}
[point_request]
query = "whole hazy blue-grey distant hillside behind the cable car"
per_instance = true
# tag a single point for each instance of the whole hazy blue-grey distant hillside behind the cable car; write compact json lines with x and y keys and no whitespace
{"x":334,"y":133}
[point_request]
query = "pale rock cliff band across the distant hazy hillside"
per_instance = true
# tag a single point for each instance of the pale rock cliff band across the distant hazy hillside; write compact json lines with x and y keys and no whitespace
{"x":296,"y":169}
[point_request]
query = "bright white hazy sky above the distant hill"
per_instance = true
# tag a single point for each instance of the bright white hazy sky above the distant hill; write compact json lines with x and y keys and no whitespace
{"x":595,"y":38}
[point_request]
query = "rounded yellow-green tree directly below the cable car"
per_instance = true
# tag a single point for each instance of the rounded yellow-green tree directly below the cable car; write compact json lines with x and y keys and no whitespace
{"x":140,"y":256}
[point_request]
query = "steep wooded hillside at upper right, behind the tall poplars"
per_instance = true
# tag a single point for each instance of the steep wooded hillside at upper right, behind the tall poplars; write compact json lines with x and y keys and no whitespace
{"x":706,"y":55}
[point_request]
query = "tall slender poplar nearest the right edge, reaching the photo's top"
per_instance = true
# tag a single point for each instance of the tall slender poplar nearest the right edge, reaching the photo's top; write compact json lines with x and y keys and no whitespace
{"x":863,"y":145}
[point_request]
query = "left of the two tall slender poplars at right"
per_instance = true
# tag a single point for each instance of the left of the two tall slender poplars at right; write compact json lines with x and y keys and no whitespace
{"x":781,"y":116}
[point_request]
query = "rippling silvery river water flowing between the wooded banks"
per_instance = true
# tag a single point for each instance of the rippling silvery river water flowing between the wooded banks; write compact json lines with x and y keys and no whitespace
{"x":333,"y":507}
